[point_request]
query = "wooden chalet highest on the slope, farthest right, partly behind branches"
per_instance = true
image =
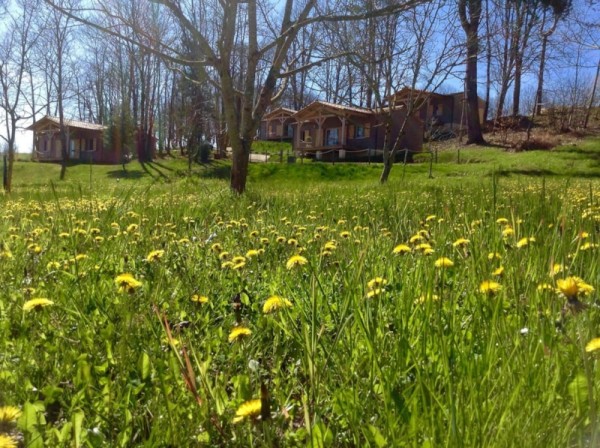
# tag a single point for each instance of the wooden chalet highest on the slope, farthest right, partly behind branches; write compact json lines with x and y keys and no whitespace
{"x":439,"y":112}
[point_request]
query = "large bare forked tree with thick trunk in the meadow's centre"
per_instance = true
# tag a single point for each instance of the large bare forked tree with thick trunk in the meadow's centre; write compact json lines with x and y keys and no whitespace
{"x":250,"y":76}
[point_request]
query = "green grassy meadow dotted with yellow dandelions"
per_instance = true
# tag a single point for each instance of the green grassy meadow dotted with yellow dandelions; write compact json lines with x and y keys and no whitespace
{"x":152,"y":307}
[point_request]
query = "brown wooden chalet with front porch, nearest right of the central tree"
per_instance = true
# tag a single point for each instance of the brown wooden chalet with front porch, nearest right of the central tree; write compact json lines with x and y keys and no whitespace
{"x":330,"y":131}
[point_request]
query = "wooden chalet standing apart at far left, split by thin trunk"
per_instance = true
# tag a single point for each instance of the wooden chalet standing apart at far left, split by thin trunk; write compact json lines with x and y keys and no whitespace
{"x":84,"y":140}
